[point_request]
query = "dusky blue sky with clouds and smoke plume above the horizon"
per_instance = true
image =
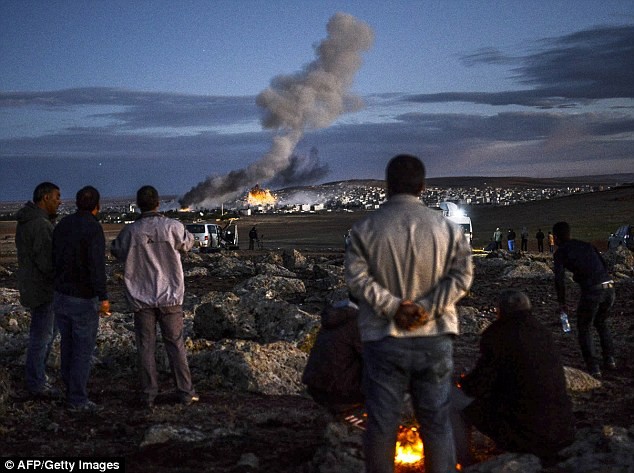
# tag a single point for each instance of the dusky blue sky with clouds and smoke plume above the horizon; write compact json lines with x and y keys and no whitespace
{"x":204,"y":99}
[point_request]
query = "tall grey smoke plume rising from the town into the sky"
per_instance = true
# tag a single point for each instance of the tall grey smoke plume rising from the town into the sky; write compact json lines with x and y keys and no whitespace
{"x":312,"y":98}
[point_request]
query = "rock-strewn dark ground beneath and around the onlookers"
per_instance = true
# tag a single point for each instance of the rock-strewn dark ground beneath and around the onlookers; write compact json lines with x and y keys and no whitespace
{"x":250,"y":317}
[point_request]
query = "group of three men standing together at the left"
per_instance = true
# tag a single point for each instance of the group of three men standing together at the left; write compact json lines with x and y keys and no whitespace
{"x":62,"y":280}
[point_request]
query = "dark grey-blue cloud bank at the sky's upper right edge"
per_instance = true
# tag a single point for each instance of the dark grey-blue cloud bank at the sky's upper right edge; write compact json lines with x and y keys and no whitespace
{"x":588,"y":65}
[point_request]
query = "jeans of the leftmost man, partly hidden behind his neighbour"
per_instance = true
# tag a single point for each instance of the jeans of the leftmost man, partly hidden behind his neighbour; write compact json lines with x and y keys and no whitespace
{"x":42,"y":332}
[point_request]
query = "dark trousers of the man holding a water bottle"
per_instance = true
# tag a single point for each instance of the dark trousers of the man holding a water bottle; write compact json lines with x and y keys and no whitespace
{"x":594,"y":309}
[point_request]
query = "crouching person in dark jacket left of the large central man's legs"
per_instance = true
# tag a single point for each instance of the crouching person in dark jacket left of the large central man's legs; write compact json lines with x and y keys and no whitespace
{"x":333,"y":372}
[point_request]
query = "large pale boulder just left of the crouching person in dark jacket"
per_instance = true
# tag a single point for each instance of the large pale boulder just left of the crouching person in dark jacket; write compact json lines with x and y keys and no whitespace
{"x":273,"y":369}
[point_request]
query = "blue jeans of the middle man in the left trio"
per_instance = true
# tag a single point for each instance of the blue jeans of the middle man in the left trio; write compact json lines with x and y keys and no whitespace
{"x":78,"y":322}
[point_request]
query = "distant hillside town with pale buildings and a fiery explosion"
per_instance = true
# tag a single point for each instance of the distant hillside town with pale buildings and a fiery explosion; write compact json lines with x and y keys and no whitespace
{"x":350,"y":196}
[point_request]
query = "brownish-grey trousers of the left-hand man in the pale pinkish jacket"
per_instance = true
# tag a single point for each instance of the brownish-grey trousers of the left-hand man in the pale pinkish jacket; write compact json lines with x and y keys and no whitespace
{"x":170,"y":320}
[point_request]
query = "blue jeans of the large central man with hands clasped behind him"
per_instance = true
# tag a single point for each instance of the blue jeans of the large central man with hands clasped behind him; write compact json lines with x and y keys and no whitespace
{"x":423,"y":366}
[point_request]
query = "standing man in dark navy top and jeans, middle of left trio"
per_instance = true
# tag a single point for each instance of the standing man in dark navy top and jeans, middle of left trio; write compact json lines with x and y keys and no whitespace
{"x":79,"y":257}
